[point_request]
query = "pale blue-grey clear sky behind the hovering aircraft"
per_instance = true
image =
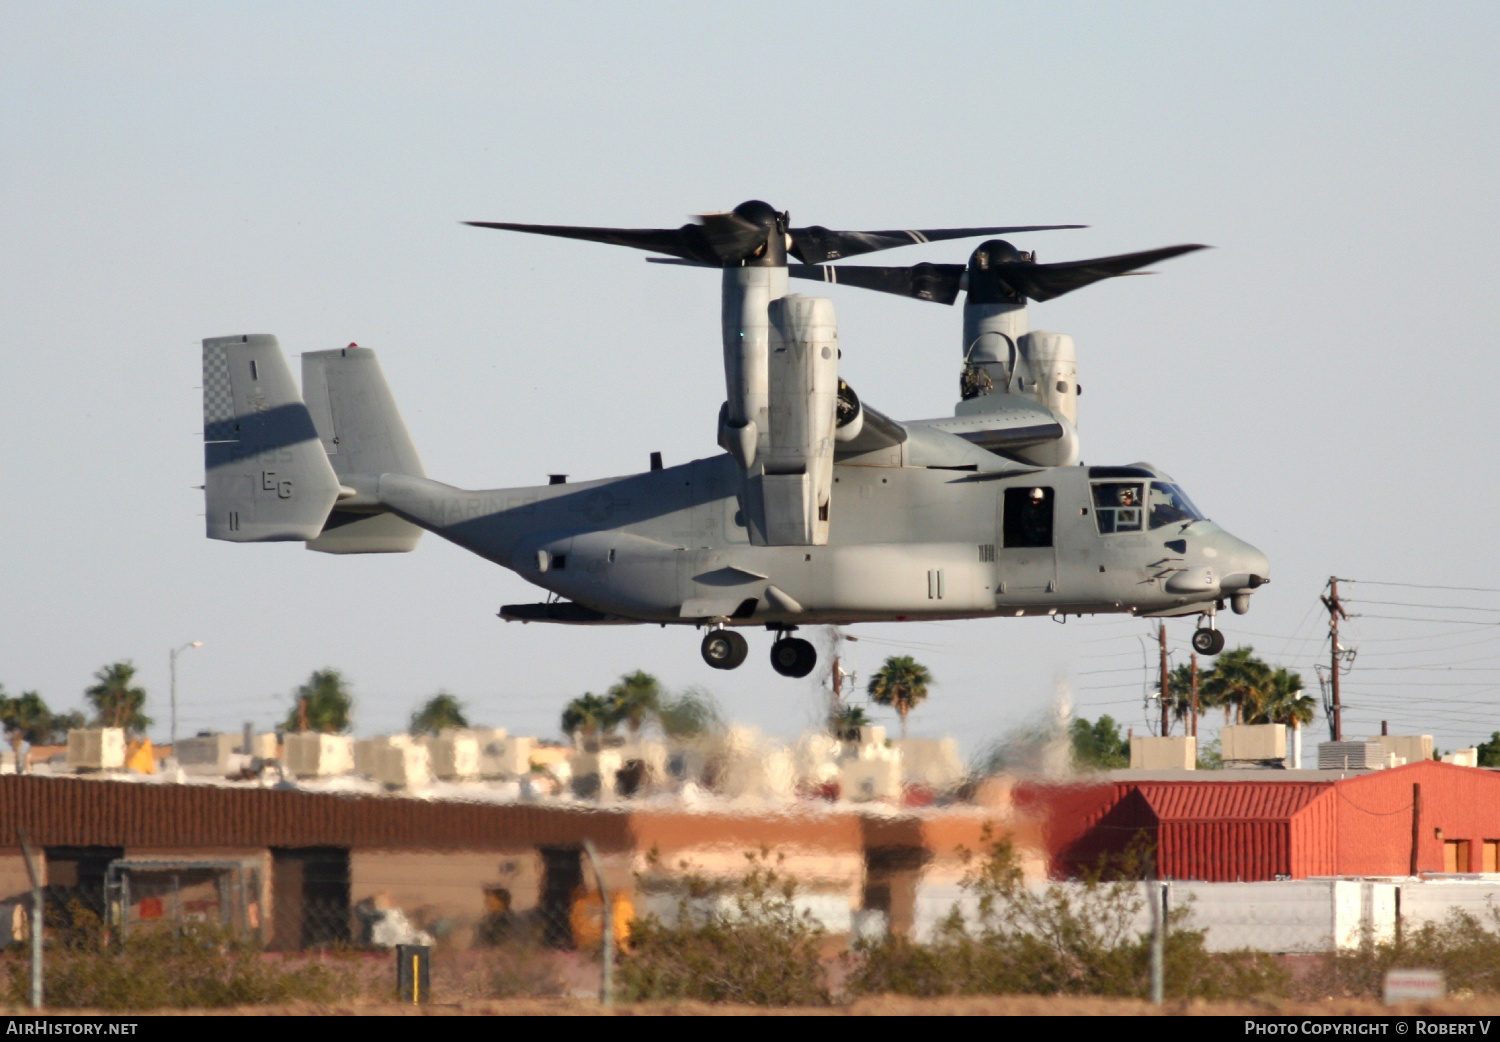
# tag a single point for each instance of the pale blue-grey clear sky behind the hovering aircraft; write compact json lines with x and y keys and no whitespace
{"x":1322,"y":382}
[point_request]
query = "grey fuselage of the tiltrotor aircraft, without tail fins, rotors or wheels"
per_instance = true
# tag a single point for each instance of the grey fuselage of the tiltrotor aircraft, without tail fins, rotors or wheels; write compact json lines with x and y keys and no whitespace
{"x":908,"y":543}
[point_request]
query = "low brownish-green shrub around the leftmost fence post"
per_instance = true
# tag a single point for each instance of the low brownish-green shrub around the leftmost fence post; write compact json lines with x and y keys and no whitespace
{"x":199,"y":966}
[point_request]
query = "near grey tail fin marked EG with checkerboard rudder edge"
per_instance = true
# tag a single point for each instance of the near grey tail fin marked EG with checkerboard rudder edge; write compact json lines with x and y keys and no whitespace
{"x":268,"y":479}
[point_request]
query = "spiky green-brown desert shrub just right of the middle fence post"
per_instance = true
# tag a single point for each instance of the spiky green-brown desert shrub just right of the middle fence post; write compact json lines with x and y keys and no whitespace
{"x":743,"y":944}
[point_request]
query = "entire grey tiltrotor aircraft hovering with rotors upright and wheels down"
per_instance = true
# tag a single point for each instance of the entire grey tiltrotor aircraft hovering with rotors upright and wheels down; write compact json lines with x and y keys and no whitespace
{"x":820,"y":511}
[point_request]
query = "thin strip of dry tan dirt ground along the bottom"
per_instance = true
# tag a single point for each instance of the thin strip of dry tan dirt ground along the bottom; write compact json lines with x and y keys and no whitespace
{"x":881,"y":1007}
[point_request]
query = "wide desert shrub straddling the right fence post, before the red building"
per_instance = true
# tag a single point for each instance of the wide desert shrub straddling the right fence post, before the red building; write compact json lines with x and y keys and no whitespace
{"x":1078,"y":939}
